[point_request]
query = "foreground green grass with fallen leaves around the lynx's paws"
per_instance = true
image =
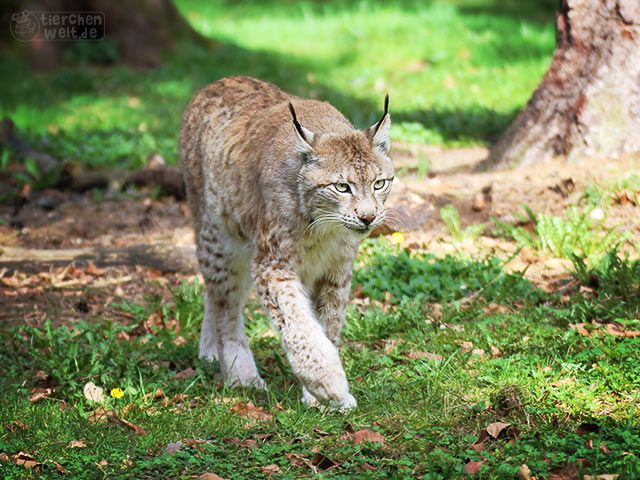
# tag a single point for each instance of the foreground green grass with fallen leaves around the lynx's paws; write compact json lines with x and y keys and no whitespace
{"x":523,"y":365}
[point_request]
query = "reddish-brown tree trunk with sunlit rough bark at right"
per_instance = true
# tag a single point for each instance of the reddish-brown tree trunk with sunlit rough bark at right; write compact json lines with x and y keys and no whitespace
{"x":588,"y":103}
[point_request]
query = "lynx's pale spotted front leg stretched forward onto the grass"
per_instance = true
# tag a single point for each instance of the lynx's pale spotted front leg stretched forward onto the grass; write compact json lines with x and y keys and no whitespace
{"x":313,"y":358}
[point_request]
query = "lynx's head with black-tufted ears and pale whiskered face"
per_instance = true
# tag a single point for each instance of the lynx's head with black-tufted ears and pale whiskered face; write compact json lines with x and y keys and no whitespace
{"x":345,"y":178}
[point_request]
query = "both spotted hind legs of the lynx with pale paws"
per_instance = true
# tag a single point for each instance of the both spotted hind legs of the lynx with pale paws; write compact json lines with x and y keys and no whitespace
{"x":225,"y":268}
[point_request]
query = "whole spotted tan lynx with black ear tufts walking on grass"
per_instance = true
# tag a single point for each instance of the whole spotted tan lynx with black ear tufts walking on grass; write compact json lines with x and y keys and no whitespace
{"x":281,"y":190}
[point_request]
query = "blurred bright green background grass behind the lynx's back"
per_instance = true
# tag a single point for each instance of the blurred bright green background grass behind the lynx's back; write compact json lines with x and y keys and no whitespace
{"x":456,"y":72}
